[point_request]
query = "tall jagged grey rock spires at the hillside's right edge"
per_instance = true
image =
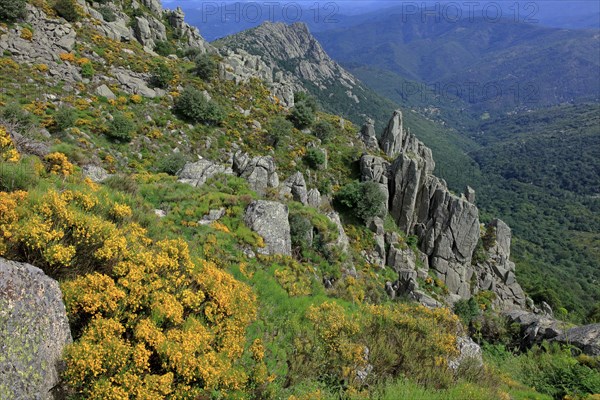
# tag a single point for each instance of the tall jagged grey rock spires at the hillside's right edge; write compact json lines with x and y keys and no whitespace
{"x":447,"y":226}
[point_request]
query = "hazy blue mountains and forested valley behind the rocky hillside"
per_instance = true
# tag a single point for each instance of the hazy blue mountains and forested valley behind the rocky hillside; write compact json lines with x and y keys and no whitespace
{"x":509,"y":106}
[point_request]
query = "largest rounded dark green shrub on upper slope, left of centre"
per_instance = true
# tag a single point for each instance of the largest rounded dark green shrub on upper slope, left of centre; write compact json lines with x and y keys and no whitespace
{"x":192,"y":105}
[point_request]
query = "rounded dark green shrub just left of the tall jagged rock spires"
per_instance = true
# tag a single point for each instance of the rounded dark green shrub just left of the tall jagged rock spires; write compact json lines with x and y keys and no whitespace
{"x":364,"y":200}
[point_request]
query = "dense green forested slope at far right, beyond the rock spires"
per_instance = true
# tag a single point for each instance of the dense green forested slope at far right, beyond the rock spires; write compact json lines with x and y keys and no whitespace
{"x":543,"y":177}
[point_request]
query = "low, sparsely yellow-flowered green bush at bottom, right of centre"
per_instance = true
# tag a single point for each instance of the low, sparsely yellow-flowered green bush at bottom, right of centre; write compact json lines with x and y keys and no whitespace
{"x":387,"y":340}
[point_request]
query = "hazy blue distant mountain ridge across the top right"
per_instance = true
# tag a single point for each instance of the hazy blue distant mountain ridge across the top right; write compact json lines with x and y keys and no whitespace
{"x":496,"y":66}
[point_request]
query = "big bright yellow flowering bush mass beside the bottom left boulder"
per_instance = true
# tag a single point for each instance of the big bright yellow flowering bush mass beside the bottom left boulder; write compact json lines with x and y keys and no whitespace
{"x":151,"y":322}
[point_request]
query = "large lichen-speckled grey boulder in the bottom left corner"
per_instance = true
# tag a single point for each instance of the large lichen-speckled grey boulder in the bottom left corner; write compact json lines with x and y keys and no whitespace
{"x":34,"y":330}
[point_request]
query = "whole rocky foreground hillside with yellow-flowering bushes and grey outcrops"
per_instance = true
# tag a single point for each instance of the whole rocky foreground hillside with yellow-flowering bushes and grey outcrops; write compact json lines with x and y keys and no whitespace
{"x":186,"y":223}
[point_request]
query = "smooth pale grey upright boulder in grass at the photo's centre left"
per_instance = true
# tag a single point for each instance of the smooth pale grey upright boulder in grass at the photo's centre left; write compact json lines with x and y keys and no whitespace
{"x":270,"y":220}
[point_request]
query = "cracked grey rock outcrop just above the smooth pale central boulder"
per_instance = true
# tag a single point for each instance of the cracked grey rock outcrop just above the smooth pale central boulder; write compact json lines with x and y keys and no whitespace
{"x":260,"y":172}
